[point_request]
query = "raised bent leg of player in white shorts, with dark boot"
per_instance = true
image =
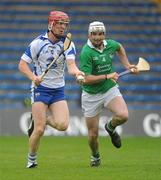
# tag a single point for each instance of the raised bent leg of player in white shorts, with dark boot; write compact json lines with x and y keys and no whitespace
{"x":120,"y":115}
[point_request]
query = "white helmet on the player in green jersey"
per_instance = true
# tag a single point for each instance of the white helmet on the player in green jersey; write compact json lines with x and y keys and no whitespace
{"x":96,"y":26}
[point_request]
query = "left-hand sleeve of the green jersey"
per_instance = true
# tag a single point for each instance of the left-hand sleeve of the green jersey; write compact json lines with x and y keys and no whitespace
{"x":85,"y":62}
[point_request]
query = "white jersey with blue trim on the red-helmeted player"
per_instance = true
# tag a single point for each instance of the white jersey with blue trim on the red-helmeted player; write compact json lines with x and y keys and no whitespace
{"x":41,"y":52}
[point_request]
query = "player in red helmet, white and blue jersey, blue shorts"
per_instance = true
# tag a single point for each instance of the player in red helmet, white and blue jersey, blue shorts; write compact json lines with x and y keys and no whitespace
{"x":49,"y":92}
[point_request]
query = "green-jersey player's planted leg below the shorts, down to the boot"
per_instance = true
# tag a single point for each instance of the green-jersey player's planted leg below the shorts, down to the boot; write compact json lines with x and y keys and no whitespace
{"x":93,"y":126}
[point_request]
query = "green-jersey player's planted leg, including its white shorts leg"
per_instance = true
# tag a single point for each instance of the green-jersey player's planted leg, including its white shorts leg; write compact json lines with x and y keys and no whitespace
{"x":92,"y":106}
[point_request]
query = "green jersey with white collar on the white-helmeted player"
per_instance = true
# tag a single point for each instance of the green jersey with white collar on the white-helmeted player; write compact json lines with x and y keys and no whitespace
{"x":96,"y":62}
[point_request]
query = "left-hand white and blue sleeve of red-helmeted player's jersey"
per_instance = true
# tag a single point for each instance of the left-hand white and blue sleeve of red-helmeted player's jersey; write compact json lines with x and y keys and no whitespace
{"x":30,"y":52}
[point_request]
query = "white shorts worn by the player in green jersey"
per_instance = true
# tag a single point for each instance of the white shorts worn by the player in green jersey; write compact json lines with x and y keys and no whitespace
{"x":92,"y":104}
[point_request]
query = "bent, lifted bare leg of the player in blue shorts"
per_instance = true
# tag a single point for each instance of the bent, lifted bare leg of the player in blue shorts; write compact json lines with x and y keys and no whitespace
{"x":59,"y":118}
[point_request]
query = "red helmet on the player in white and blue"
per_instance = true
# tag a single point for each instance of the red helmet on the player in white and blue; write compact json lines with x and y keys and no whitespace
{"x":57,"y":16}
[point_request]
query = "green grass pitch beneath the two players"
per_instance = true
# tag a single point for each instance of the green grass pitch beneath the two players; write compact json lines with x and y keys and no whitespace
{"x":67,"y":158}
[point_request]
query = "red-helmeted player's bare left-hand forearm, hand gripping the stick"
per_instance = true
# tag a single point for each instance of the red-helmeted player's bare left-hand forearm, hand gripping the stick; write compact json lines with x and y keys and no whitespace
{"x":25,"y":69}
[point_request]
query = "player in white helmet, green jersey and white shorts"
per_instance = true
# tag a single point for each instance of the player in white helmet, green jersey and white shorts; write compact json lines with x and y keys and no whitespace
{"x":100,"y":89}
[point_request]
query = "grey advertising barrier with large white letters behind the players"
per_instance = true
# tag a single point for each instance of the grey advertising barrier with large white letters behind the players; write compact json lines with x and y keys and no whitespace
{"x":141,"y":123}
